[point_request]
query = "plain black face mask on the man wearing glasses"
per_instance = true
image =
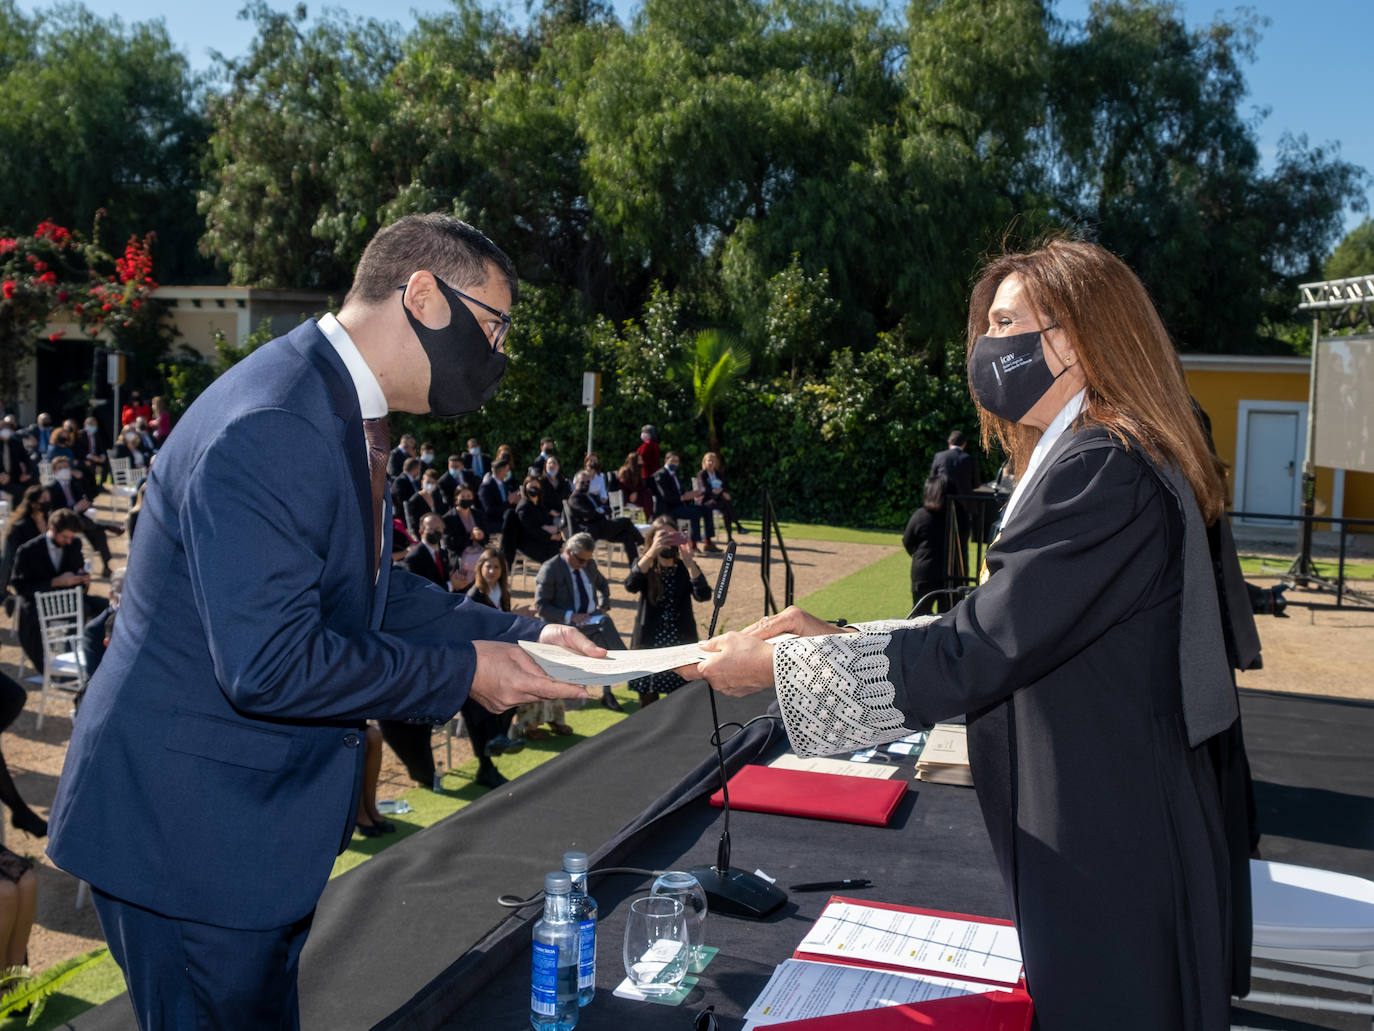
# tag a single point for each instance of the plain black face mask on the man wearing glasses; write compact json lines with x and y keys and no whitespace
{"x":465,"y":372}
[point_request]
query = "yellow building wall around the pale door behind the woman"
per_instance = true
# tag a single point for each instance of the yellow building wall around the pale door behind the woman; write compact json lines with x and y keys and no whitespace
{"x":1221,"y":395}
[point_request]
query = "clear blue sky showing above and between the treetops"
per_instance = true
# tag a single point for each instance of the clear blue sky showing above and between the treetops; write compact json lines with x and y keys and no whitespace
{"x":1310,"y":69}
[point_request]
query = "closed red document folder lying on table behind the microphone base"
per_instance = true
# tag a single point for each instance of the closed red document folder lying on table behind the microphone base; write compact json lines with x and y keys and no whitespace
{"x":820,"y":797}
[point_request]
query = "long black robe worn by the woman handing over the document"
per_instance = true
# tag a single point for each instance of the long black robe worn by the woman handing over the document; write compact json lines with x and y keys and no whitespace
{"x":1105,"y":821}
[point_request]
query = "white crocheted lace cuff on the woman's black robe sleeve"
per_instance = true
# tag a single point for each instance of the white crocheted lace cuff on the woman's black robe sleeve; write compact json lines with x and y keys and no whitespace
{"x":835,"y":692}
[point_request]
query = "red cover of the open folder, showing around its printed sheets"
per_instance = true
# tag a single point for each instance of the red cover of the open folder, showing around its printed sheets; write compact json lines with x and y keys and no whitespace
{"x":991,"y":1011}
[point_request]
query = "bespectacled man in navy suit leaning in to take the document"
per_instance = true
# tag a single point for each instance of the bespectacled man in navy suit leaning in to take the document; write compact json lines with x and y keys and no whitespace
{"x":216,"y":765}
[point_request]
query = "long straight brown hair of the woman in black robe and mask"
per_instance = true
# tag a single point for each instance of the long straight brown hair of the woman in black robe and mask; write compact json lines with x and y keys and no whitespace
{"x":1136,"y":381}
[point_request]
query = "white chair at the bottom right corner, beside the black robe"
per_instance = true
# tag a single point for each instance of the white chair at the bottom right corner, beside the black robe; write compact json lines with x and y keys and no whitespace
{"x":1318,"y":920}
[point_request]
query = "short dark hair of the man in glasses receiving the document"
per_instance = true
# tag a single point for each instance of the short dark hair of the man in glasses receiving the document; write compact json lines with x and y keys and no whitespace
{"x":438,"y":243}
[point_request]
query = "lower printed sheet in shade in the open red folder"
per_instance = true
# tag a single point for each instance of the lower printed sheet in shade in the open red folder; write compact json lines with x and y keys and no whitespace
{"x":800,"y":990}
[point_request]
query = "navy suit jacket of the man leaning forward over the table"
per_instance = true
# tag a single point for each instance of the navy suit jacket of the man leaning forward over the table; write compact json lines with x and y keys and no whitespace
{"x":215,"y":768}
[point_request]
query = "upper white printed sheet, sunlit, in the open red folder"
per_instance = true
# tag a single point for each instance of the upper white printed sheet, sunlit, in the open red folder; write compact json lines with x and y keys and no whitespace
{"x":941,"y":945}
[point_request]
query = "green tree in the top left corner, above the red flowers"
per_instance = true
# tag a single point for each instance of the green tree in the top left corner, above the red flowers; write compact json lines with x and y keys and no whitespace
{"x":100,"y":116}
